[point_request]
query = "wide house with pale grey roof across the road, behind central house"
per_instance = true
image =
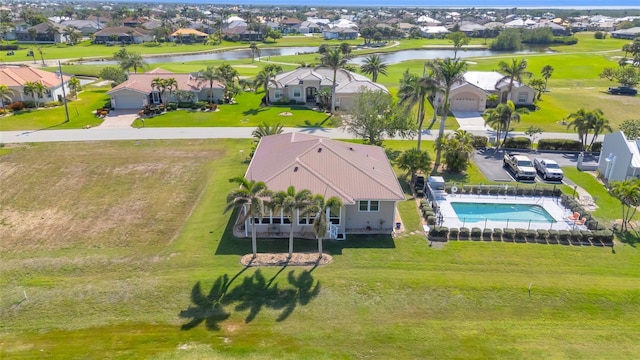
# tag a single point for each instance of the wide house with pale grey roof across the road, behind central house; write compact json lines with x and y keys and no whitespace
{"x":302,"y":85}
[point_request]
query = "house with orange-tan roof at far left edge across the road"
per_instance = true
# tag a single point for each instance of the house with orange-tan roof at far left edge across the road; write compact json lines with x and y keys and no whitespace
{"x":16,"y":76}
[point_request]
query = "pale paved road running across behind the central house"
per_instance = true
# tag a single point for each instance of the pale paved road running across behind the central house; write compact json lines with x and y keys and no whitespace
{"x":97,"y":134}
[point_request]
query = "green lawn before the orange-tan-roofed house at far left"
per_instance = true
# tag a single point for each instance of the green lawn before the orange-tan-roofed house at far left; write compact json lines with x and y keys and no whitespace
{"x":80,"y":114}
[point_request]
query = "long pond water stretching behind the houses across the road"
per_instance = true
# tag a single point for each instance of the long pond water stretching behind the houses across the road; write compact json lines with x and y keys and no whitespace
{"x":389,"y":58}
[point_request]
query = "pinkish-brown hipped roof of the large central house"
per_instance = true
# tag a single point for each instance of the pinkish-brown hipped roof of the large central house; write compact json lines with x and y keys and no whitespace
{"x":349,"y":171}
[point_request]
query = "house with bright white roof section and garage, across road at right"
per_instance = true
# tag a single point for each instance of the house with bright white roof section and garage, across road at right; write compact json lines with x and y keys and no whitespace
{"x":471,"y":93}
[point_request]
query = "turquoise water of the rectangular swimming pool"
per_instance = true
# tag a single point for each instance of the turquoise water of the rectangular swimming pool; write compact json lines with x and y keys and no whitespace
{"x":475,"y":212}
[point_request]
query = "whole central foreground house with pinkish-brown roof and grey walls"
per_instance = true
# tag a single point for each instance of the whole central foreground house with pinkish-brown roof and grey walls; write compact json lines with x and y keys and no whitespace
{"x":359,"y":175}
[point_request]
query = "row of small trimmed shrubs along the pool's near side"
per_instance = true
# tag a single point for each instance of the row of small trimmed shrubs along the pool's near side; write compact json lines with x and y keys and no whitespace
{"x":574,"y":237}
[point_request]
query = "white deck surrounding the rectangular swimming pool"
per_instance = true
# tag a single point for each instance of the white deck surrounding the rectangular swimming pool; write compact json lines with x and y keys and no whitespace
{"x":551,"y":205}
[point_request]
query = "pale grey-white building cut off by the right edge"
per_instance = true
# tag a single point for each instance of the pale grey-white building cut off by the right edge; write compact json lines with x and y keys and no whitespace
{"x":619,"y":157}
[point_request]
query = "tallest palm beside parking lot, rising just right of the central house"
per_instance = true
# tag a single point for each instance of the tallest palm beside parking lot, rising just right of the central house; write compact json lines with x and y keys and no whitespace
{"x":446,"y":72}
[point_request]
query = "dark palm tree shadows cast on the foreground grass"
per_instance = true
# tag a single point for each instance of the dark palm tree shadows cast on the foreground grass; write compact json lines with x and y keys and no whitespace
{"x":254,"y":294}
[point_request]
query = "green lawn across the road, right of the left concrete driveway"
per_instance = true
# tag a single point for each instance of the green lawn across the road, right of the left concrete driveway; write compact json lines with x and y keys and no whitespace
{"x":246,"y":112}
